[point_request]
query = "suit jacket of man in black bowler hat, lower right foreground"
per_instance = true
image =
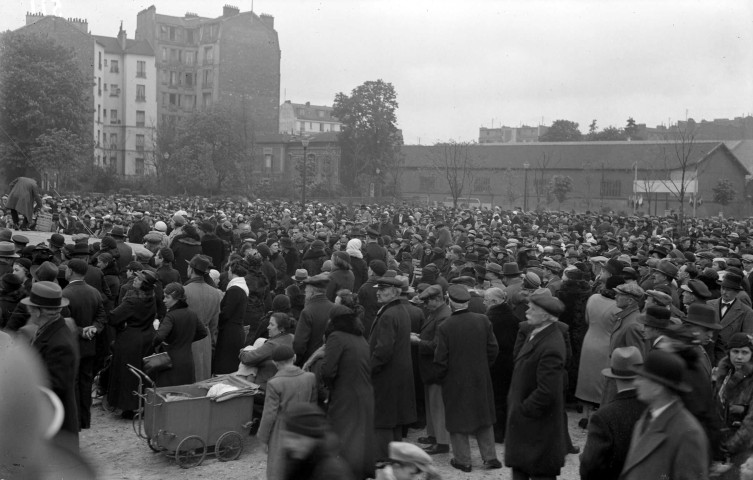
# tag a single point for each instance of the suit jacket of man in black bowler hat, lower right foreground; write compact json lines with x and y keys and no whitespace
{"x":674,"y":446}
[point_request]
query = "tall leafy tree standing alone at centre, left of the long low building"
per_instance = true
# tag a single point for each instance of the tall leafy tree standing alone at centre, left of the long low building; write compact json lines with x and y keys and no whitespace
{"x":369,"y":139}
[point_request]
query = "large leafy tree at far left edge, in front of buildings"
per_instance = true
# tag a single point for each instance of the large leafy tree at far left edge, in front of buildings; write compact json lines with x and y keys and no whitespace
{"x":42,"y":92}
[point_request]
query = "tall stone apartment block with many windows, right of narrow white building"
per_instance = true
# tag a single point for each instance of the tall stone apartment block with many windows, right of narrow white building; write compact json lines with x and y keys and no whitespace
{"x":232,"y":60}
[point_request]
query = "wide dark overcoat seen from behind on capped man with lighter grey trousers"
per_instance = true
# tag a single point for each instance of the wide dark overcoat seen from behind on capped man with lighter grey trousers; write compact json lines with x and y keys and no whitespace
{"x":466,"y":346}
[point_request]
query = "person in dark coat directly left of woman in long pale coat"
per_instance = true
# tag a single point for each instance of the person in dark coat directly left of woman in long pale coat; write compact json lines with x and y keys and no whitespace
{"x":574,"y":294}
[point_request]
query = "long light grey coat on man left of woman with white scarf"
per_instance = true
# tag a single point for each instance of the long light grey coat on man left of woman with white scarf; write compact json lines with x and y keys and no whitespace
{"x":204,"y":300}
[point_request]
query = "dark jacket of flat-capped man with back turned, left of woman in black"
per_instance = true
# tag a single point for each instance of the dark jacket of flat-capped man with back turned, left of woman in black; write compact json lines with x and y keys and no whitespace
{"x":87,"y":309}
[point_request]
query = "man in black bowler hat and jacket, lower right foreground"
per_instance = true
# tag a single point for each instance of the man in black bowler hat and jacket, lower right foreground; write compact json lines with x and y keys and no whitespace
{"x":667,"y":441}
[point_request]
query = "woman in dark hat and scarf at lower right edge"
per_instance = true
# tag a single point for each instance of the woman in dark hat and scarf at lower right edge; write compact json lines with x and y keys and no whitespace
{"x":734,"y":396}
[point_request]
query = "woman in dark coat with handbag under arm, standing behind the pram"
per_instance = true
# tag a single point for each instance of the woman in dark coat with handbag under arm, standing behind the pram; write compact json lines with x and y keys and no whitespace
{"x":178,"y":330}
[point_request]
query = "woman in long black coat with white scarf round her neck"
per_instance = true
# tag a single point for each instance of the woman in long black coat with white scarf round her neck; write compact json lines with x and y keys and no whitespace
{"x":230,"y":338}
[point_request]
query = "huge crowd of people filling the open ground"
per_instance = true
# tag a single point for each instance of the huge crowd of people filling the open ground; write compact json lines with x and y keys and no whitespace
{"x":359,"y":323}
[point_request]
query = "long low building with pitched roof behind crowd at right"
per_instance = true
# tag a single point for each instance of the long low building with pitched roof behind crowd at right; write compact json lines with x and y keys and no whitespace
{"x":620,"y":176}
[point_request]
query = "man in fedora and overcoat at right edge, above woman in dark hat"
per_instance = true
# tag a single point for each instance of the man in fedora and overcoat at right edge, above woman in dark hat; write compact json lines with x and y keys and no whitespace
{"x":732,"y":314}
